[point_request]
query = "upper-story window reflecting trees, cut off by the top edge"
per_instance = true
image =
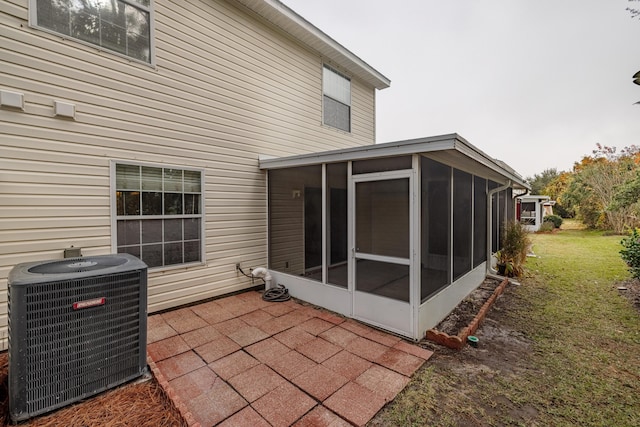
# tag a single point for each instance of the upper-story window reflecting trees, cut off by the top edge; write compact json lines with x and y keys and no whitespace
{"x":121,"y":26}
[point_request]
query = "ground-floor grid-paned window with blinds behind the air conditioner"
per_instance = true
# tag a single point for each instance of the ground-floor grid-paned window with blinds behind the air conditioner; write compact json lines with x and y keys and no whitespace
{"x":159,"y":214}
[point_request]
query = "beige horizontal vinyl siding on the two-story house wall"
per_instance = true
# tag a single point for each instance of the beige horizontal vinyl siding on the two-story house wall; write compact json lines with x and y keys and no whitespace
{"x":226,"y":88}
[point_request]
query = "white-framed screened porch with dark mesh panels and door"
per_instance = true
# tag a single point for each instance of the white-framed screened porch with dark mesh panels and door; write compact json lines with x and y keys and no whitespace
{"x":394,"y":235}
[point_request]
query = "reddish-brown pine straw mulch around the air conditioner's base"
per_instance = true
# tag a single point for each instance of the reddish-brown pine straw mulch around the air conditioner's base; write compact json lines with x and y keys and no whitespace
{"x":133,"y":404}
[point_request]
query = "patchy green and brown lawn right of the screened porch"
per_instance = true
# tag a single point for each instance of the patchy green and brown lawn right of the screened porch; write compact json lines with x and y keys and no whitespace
{"x":582,"y":367}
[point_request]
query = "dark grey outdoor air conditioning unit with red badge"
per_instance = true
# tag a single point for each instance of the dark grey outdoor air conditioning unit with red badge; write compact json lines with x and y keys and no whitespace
{"x":77,"y":327}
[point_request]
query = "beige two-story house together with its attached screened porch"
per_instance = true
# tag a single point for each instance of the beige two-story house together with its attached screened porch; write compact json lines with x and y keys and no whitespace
{"x":164,"y":129}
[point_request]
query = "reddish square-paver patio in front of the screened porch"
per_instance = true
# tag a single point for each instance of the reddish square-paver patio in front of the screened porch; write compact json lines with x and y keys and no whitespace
{"x":241,"y":361}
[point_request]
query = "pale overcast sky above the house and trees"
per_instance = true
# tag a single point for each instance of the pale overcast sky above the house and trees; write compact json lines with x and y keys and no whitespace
{"x":534,"y":83}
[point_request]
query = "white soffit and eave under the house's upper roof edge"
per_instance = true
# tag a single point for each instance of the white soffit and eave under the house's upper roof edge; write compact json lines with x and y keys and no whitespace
{"x":302,"y":30}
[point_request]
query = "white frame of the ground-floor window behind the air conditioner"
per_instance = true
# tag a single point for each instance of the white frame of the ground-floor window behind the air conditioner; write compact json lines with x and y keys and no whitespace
{"x":115,"y":217}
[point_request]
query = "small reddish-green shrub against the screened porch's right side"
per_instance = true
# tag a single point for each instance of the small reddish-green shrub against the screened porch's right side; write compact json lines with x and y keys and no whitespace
{"x":515,"y":246}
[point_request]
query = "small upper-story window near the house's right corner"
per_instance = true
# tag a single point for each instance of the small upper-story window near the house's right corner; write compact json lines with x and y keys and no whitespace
{"x":336,"y":89}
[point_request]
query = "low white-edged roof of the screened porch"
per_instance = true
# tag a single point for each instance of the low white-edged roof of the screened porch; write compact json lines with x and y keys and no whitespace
{"x":450,"y":149}
